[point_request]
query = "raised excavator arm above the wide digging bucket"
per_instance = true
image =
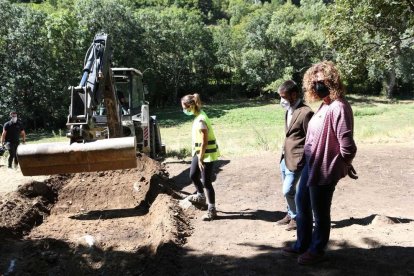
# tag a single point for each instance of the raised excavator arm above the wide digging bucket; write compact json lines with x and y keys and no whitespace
{"x":96,"y":85}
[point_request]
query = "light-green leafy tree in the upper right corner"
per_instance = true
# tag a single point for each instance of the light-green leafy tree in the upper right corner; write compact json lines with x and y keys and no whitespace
{"x":371,"y":37}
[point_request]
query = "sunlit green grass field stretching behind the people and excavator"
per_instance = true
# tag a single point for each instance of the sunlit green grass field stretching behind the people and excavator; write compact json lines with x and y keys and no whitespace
{"x":247,"y":127}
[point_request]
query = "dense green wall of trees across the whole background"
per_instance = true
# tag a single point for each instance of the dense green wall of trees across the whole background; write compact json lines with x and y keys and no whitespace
{"x":219,"y":48}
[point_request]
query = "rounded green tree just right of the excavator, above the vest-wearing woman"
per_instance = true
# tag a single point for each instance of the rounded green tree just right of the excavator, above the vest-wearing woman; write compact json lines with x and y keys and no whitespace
{"x":175,"y":42}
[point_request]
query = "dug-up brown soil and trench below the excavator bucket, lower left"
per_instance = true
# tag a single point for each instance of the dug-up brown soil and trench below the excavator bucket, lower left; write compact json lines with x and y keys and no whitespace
{"x":113,"y":222}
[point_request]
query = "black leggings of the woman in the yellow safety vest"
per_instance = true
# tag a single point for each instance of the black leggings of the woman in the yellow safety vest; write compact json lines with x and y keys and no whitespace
{"x":203,"y":178}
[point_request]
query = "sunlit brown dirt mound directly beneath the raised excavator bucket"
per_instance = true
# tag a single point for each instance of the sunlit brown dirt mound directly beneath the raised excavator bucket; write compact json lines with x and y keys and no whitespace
{"x":91,"y":193}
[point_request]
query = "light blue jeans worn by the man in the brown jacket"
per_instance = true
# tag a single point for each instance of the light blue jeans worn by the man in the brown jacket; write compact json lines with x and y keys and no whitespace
{"x":289,"y":180}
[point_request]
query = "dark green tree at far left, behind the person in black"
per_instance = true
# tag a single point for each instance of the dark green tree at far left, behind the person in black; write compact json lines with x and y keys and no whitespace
{"x":26,"y":66}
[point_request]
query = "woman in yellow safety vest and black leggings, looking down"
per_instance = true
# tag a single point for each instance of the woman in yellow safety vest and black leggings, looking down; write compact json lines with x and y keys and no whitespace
{"x":204,"y":153}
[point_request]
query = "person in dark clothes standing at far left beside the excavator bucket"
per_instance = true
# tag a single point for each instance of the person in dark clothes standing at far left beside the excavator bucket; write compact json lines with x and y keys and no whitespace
{"x":10,"y":138}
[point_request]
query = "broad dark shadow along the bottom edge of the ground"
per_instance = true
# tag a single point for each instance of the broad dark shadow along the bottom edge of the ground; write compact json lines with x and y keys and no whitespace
{"x":55,"y":257}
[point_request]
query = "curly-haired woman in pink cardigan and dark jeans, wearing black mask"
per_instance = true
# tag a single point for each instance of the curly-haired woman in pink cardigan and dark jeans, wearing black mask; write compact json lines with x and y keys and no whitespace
{"x":329,"y":151}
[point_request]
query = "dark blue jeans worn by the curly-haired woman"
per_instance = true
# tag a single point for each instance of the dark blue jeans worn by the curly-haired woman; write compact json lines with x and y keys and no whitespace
{"x":313,"y":200}
